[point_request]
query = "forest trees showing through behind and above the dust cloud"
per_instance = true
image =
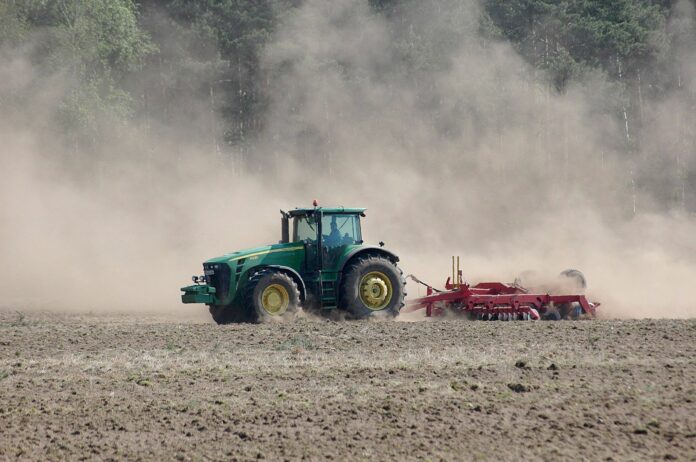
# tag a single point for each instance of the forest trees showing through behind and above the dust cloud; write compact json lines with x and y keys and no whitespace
{"x":161,"y":62}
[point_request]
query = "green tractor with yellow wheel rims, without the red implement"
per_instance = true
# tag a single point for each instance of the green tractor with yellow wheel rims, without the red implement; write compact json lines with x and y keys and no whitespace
{"x":323,"y":266}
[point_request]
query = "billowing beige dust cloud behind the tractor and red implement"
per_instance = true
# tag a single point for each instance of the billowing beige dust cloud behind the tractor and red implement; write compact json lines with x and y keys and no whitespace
{"x":476,"y":159}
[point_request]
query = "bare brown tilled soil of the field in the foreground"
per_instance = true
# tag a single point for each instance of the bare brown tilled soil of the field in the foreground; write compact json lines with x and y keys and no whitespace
{"x":135,"y":387}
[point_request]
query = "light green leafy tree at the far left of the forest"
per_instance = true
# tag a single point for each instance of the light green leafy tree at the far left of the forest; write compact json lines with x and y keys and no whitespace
{"x":92,"y":45}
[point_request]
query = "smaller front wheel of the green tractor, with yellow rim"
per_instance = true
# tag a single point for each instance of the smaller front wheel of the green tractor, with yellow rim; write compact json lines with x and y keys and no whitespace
{"x":271,"y":296}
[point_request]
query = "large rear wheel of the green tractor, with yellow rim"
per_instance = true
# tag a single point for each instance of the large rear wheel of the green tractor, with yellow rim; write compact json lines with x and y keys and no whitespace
{"x":372,"y":285}
